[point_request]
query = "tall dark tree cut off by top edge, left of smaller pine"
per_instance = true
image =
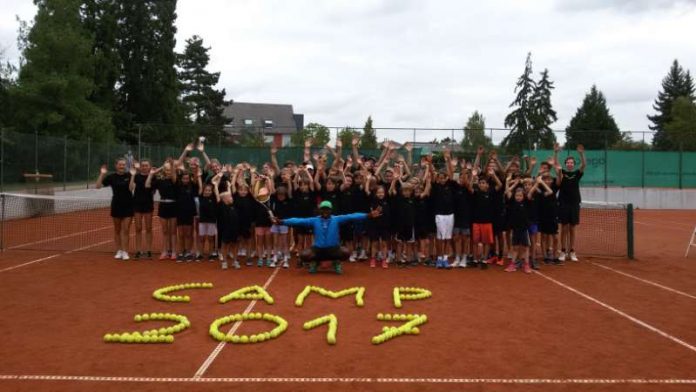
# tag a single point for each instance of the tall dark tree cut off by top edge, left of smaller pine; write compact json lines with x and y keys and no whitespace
{"x":149,"y":89}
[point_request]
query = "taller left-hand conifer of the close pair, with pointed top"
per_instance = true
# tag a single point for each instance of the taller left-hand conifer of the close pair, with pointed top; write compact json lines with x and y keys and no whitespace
{"x":518,"y":120}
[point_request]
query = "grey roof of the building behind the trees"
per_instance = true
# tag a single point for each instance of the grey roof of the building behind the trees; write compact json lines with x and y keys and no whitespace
{"x":282,"y":116}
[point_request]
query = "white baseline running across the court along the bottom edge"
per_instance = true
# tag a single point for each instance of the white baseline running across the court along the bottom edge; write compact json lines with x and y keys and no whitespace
{"x":364,"y":380}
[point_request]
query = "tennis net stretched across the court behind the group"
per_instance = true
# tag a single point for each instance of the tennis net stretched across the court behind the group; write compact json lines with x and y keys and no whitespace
{"x":70,"y":223}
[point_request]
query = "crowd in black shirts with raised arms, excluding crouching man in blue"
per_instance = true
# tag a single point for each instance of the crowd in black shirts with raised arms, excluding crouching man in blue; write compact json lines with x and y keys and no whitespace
{"x":456,"y":214}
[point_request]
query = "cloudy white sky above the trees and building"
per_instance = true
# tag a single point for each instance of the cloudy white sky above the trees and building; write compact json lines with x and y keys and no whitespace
{"x":417,"y":63}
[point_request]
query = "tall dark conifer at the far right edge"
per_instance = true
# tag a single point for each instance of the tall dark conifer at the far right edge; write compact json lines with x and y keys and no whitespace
{"x":677,"y":83}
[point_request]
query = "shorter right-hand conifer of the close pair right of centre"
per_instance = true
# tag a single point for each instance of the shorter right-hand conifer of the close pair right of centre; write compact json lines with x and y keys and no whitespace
{"x":542,"y":115}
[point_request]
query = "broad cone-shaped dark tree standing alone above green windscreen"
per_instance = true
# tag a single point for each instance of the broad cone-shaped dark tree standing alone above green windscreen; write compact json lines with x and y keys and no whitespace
{"x":592,"y":125}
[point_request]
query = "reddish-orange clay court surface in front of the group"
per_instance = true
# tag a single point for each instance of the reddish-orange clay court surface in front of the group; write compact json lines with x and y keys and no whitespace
{"x":596,"y":325}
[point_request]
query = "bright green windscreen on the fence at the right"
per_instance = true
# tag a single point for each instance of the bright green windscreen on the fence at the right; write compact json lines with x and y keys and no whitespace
{"x":649,"y":169}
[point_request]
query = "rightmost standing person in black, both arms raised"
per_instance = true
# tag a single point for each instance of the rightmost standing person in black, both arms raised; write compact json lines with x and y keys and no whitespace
{"x":569,"y":199}
